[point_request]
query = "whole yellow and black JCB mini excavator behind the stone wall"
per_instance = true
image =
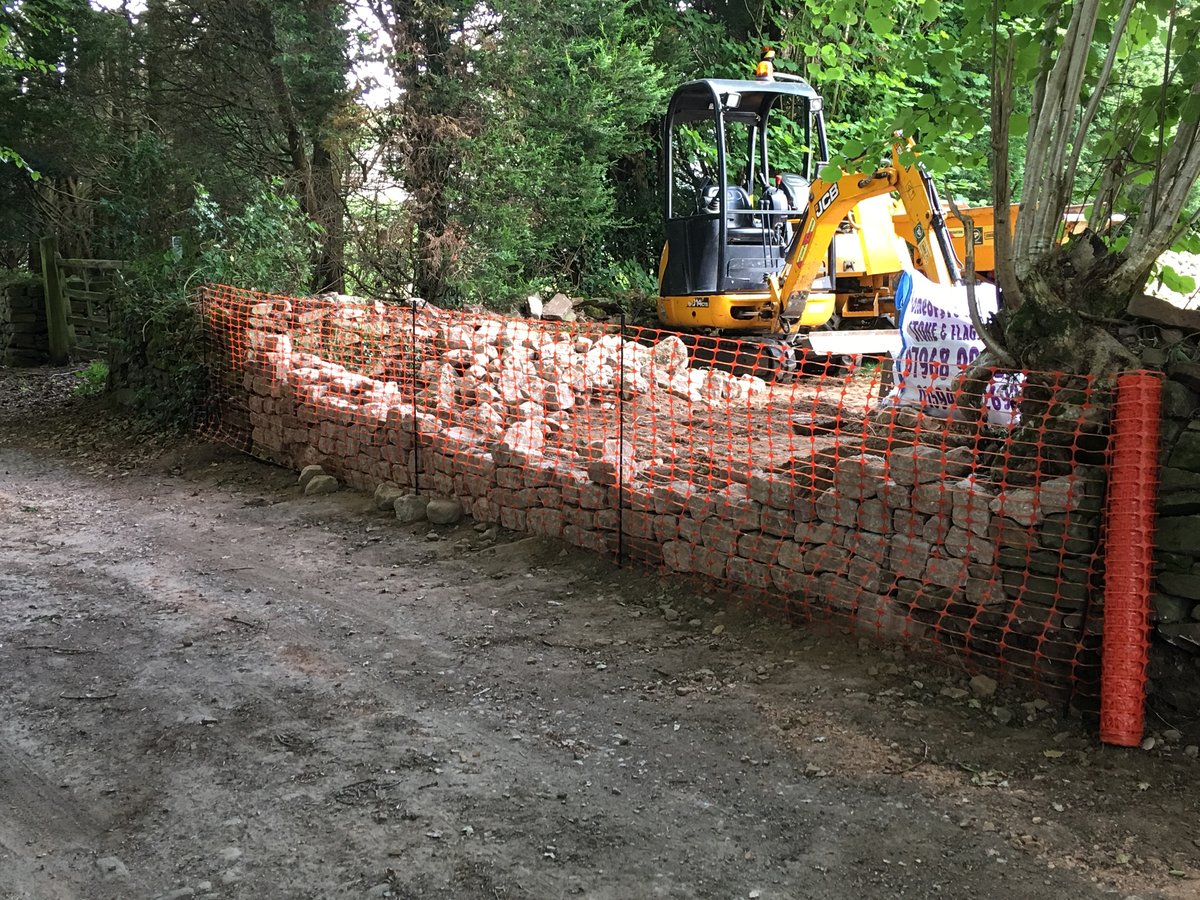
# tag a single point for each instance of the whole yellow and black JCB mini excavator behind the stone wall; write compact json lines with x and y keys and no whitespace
{"x":758,"y":247}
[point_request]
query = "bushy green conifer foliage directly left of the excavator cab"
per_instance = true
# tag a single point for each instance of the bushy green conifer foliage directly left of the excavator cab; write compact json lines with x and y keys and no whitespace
{"x":562,"y":95}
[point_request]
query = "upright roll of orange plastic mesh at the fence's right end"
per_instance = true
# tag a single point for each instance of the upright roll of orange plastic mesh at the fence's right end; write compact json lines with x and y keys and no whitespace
{"x":1131,"y":553}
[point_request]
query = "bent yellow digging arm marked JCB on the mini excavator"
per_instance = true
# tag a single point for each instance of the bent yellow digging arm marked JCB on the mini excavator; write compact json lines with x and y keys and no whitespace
{"x":830,"y":203}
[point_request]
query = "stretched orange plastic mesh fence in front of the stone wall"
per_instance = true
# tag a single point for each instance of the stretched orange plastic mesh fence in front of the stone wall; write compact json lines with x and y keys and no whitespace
{"x":809,"y":494}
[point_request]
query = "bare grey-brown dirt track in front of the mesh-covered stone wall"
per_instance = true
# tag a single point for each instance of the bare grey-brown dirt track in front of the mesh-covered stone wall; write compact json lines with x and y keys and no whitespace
{"x":215,"y":687}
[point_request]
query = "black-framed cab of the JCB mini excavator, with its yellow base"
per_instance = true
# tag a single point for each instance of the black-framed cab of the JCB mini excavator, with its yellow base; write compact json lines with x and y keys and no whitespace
{"x":740,"y":159}
